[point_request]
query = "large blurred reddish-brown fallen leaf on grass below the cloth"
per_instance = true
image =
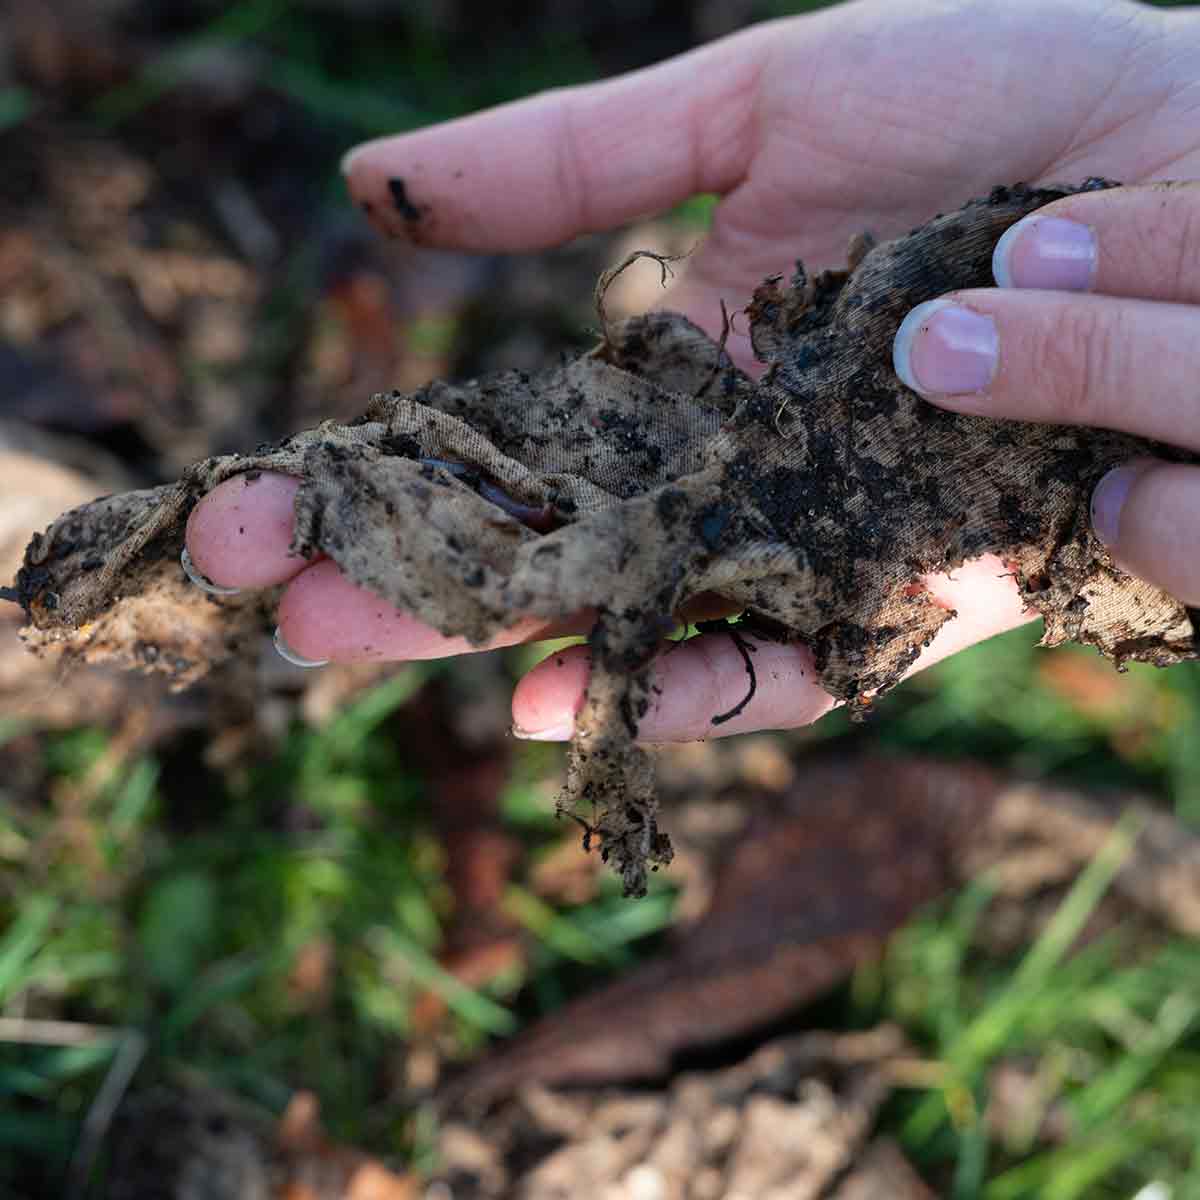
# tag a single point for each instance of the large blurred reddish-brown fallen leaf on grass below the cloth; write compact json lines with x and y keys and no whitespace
{"x":805,"y":899}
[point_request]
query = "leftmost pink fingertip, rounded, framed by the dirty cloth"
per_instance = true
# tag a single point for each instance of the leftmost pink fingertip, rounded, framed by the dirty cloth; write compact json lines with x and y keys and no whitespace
{"x":239,"y":535}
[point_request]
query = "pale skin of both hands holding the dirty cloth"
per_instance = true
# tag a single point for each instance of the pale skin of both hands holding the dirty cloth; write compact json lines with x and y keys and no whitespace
{"x":869,"y":116}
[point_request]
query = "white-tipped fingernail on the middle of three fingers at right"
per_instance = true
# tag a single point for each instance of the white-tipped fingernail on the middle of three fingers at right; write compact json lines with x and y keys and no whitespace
{"x":943,"y":349}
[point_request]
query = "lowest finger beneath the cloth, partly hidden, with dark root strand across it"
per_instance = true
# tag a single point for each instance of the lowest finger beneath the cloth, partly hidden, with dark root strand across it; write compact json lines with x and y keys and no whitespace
{"x":706,"y":676}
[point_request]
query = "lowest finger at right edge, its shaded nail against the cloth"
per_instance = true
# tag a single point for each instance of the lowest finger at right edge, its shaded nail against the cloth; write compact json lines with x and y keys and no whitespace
{"x":1149,"y":515}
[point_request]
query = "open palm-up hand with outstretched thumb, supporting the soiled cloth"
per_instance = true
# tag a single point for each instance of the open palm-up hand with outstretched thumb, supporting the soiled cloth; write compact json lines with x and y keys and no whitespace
{"x":865,"y":117}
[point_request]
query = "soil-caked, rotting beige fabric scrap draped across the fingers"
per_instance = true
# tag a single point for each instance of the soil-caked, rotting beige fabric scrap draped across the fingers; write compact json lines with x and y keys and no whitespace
{"x":650,"y":471}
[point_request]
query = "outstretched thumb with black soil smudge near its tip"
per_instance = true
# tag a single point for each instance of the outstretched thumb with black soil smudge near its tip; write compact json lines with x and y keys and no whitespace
{"x":542,"y":171}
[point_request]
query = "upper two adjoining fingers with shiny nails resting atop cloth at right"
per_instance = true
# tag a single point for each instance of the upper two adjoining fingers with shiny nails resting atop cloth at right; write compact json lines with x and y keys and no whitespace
{"x":1124,"y":357}
